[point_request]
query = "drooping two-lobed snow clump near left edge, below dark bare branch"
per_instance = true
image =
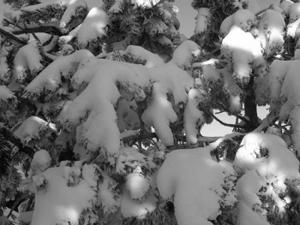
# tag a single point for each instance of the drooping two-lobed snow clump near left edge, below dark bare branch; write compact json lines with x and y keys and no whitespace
{"x":27,"y":58}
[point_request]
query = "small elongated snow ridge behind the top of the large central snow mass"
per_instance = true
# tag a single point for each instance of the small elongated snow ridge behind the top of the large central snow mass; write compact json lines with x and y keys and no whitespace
{"x":137,"y":52}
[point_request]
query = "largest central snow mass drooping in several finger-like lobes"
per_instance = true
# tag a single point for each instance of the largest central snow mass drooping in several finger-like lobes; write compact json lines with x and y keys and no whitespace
{"x":100,"y":129}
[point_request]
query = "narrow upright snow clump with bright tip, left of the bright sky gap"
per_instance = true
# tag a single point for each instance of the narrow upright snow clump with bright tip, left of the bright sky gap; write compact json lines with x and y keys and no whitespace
{"x":193,"y":117}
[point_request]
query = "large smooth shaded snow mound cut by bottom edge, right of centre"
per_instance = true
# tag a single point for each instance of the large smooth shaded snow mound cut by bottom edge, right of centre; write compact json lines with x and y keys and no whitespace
{"x":184,"y":174}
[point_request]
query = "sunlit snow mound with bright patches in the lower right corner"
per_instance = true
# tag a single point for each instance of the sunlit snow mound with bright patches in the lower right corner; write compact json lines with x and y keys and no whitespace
{"x":265,"y":159}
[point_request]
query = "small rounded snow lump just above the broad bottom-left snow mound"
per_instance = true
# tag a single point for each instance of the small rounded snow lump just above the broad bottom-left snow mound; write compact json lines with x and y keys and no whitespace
{"x":40,"y":162}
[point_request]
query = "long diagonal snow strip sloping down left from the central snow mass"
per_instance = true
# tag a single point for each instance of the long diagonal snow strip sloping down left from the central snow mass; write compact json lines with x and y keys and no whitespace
{"x":50,"y":78}
